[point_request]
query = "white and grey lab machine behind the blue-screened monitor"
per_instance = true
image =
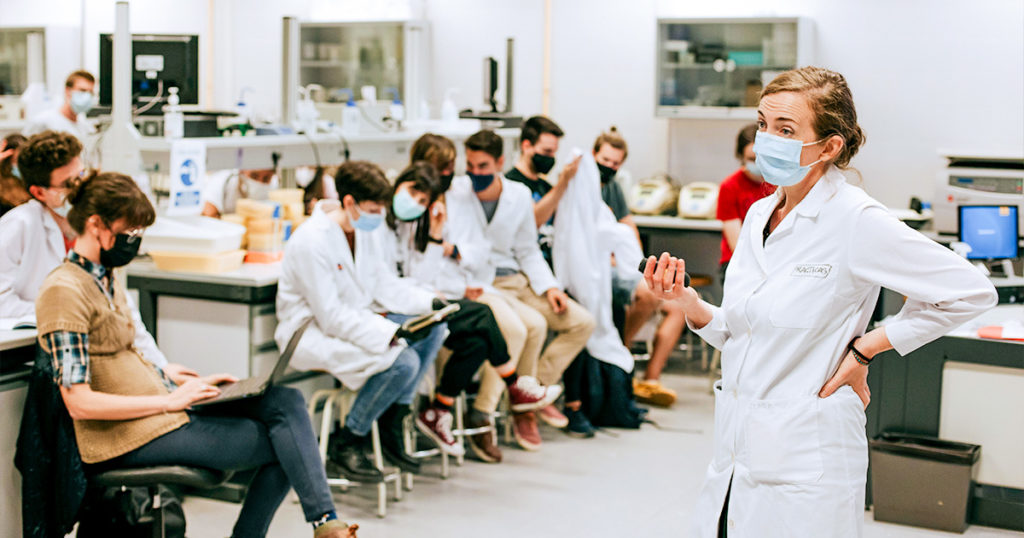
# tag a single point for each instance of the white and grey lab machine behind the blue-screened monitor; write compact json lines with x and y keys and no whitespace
{"x":977,"y":179}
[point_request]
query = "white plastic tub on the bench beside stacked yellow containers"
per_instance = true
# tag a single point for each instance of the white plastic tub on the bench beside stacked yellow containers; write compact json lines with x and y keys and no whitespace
{"x":198,"y":235}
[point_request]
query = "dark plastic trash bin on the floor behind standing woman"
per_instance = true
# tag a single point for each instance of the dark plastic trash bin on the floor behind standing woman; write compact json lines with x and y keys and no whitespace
{"x":923,"y":481}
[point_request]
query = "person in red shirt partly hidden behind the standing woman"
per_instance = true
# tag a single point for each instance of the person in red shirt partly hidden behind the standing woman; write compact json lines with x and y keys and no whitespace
{"x":738,"y":193}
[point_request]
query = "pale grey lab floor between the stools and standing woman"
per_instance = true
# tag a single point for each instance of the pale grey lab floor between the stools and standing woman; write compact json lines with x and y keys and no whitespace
{"x":618,"y":484}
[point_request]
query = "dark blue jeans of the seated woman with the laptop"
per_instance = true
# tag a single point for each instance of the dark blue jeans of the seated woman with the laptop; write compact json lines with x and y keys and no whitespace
{"x":271,"y":433}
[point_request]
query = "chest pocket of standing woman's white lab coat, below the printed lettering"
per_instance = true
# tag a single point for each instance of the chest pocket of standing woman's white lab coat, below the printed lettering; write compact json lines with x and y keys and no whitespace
{"x":803,"y":302}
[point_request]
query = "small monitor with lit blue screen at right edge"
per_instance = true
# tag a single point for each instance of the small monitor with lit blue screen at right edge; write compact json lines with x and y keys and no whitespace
{"x":991,"y":231}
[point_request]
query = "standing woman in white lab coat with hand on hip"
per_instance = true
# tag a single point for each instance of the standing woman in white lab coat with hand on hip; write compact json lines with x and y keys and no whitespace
{"x":791,"y":451}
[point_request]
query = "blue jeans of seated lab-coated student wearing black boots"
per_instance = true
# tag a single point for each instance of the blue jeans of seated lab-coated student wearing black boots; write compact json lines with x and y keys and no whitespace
{"x":398,"y":384}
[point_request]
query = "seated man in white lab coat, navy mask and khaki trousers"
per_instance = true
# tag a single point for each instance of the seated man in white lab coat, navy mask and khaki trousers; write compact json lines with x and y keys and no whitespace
{"x":495,"y":232}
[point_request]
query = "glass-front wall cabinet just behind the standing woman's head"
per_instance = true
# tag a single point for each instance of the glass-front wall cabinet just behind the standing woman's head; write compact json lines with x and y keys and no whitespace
{"x":715,"y":68}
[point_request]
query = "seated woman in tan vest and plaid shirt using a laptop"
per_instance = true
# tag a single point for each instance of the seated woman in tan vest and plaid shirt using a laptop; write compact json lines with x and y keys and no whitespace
{"x":127,"y":413}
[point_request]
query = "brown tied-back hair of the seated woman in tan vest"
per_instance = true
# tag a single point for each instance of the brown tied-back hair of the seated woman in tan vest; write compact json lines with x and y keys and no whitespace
{"x":111,"y":196}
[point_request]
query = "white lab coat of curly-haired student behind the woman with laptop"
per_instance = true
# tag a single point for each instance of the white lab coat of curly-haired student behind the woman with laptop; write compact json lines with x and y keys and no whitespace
{"x":31,"y":246}
